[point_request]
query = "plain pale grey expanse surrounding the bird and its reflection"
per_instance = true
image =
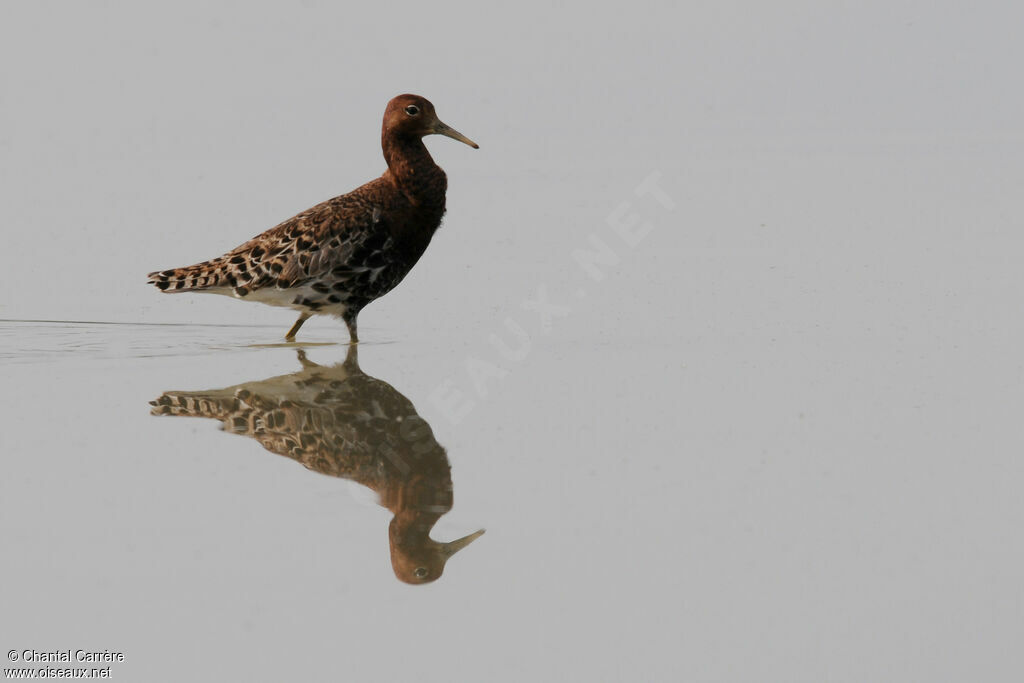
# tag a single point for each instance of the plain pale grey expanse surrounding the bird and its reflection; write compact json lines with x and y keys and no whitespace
{"x":780,"y":441}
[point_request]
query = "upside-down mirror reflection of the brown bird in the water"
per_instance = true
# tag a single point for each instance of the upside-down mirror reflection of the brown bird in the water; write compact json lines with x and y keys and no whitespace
{"x":342,"y":422}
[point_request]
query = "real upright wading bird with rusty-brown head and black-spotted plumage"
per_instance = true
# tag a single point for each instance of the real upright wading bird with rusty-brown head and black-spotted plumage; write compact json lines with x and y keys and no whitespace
{"x":340,"y":255}
